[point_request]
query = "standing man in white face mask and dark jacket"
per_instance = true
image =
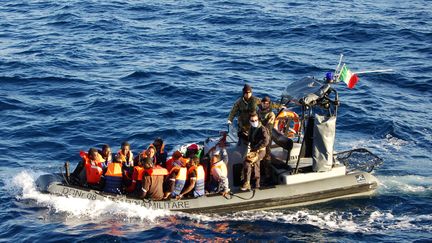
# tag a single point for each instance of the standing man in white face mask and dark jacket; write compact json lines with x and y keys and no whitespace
{"x":259,"y":138}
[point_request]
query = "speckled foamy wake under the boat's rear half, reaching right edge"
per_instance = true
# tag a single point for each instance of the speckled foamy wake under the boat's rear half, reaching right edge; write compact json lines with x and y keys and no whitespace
{"x":349,"y":221}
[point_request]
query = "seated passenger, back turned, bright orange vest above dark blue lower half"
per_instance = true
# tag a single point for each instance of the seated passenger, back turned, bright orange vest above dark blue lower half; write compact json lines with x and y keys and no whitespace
{"x":113,"y":177}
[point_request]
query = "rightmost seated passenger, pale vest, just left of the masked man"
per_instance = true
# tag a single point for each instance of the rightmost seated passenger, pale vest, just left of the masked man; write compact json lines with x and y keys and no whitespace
{"x":219,"y":175}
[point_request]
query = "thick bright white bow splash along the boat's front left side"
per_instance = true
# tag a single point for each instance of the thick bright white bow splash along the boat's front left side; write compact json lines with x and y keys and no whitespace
{"x":24,"y":185}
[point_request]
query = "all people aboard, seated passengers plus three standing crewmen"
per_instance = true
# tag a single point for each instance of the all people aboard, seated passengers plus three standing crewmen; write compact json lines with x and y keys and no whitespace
{"x":151,"y":175}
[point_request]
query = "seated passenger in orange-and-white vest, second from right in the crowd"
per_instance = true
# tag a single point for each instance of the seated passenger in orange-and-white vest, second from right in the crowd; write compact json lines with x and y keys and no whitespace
{"x":195,"y":183}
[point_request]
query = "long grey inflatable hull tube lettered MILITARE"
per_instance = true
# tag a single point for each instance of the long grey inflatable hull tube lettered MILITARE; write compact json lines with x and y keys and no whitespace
{"x":279,"y":196}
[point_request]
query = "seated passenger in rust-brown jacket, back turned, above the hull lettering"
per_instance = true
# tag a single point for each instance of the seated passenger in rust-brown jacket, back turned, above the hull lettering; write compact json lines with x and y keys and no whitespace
{"x":152,"y":186}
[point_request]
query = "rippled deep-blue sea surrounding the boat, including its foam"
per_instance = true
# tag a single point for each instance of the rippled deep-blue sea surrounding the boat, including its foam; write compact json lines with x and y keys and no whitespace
{"x":78,"y":74}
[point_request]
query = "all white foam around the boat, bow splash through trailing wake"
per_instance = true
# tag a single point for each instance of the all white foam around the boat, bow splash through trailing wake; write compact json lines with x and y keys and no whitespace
{"x":365,"y":220}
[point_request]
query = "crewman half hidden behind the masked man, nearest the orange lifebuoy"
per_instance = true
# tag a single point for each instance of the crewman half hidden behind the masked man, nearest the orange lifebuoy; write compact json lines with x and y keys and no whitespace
{"x":267,"y":118}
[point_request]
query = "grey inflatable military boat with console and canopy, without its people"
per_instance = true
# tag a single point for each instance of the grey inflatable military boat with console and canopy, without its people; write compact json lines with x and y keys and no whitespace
{"x":305,"y":168}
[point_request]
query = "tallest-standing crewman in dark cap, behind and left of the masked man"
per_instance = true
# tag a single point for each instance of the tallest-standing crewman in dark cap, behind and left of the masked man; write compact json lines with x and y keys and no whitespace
{"x":242,"y":108}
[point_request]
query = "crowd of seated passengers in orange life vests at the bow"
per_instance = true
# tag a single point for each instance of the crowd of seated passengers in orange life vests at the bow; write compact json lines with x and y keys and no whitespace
{"x":150,"y":175}
